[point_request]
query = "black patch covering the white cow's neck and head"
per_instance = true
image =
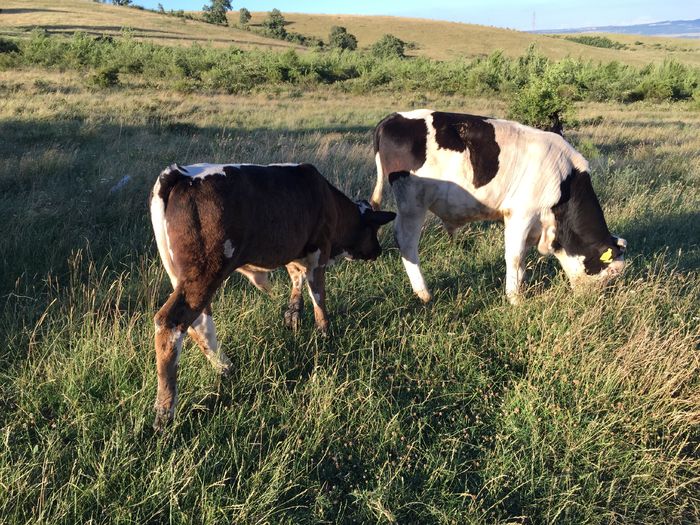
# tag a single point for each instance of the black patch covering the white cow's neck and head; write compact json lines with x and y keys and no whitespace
{"x":581,"y":227}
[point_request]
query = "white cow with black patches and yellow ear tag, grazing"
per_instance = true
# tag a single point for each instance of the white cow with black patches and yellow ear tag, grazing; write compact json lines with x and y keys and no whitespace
{"x":465,"y":168}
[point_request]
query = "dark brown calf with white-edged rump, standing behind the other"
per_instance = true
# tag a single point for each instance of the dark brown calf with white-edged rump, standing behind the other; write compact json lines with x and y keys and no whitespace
{"x":210,"y":220}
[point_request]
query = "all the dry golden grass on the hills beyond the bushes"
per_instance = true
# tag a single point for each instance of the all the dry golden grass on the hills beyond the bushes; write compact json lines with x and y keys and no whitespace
{"x":434,"y":39}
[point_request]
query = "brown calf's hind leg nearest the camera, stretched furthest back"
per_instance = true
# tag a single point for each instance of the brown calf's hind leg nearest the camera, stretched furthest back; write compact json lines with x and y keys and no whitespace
{"x":181,"y":309}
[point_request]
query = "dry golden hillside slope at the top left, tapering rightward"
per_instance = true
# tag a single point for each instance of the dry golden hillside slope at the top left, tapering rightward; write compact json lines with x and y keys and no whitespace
{"x":69,"y":16}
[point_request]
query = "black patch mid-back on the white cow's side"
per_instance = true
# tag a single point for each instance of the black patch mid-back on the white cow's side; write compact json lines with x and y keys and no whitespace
{"x":457,"y":132}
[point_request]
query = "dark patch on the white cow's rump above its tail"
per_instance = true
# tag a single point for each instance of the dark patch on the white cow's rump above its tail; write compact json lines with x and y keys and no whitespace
{"x":401,"y":143}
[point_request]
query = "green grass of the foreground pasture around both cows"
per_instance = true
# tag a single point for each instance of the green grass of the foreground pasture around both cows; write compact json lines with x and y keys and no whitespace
{"x":569,"y":409}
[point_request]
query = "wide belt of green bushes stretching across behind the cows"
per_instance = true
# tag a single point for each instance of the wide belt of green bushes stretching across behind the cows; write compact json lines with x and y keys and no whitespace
{"x":532,"y":77}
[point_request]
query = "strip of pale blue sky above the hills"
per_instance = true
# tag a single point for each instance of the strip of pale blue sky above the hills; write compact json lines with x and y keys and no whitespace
{"x":514,"y":14}
